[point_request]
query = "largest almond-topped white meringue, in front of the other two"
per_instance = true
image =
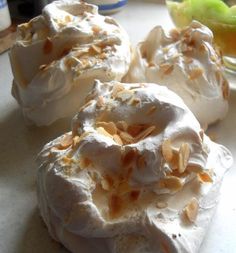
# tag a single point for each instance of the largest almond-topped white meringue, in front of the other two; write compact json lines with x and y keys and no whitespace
{"x":136,"y":174}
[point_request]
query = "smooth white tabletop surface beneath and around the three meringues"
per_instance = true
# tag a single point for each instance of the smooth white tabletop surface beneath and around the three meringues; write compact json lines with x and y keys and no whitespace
{"x":21,"y":229}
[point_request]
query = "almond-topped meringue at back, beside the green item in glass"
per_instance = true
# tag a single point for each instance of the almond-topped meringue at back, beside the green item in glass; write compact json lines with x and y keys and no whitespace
{"x":188,"y":63}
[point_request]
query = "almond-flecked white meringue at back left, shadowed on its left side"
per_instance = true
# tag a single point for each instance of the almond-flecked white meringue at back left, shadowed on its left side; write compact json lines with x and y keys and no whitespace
{"x":58,"y":55}
